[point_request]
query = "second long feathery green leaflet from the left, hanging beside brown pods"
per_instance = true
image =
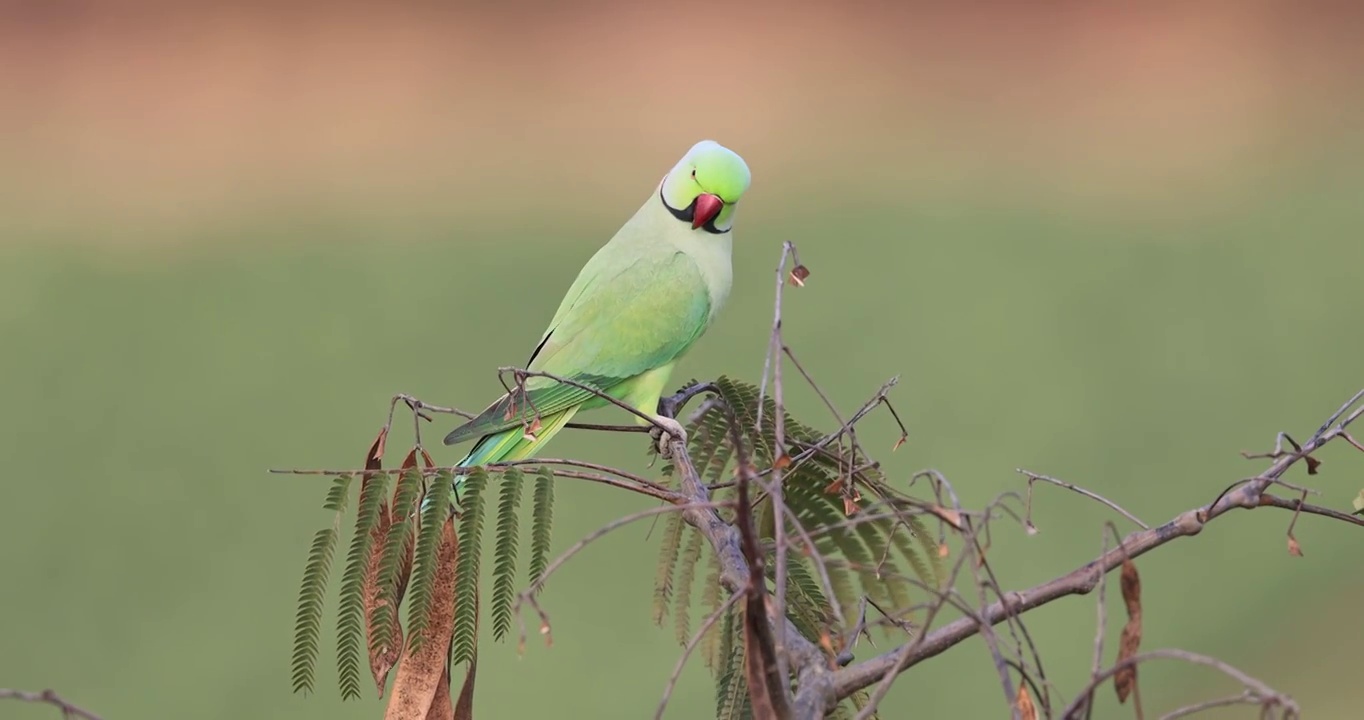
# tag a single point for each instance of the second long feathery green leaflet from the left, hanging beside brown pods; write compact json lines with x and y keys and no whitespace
{"x":351,"y":616}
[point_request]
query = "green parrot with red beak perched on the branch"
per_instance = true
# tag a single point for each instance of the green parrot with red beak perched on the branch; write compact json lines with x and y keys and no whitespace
{"x":635,"y":310}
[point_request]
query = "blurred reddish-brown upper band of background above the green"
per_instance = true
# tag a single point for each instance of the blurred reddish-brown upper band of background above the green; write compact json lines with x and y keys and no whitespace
{"x":323,"y":103}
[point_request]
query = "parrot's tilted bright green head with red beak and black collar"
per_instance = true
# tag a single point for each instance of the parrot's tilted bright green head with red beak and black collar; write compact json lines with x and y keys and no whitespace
{"x":703,"y":189}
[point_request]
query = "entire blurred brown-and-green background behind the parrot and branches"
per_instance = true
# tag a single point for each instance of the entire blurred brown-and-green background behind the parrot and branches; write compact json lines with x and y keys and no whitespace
{"x":1115,"y":246}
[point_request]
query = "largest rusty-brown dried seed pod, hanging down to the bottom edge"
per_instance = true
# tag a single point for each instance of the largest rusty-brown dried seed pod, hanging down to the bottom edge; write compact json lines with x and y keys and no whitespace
{"x":422,"y":673}
